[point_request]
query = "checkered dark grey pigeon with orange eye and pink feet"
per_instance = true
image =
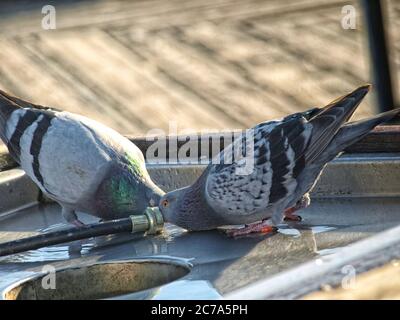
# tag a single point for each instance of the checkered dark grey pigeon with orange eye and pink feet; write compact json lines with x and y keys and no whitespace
{"x":289,"y":156}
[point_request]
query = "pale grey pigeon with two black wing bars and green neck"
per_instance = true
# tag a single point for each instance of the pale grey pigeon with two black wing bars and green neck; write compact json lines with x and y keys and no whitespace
{"x":78,"y":162}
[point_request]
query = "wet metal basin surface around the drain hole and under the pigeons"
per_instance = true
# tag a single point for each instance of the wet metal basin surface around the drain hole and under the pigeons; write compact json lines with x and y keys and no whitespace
{"x":218,"y":264}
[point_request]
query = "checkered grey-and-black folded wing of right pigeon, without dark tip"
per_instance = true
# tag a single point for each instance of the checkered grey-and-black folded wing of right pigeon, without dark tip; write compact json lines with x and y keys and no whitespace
{"x":279,"y":149}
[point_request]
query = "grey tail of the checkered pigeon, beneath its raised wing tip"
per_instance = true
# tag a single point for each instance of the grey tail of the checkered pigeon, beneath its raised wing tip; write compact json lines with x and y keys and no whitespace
{"x":354,"y":131}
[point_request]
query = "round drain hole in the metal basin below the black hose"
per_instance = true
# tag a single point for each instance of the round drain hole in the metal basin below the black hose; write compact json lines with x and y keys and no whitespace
{"x":99,"y":281}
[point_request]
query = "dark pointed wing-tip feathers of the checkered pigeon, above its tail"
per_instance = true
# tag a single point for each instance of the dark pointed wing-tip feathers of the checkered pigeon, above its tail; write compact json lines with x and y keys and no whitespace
{"x":327,"y":121}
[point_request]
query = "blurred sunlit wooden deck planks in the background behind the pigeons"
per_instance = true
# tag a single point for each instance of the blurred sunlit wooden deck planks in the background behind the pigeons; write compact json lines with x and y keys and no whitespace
{"x":136,"y":65}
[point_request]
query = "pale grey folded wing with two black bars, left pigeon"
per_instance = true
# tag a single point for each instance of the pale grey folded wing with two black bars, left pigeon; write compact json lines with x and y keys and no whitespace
{"x":64,"y":154}
